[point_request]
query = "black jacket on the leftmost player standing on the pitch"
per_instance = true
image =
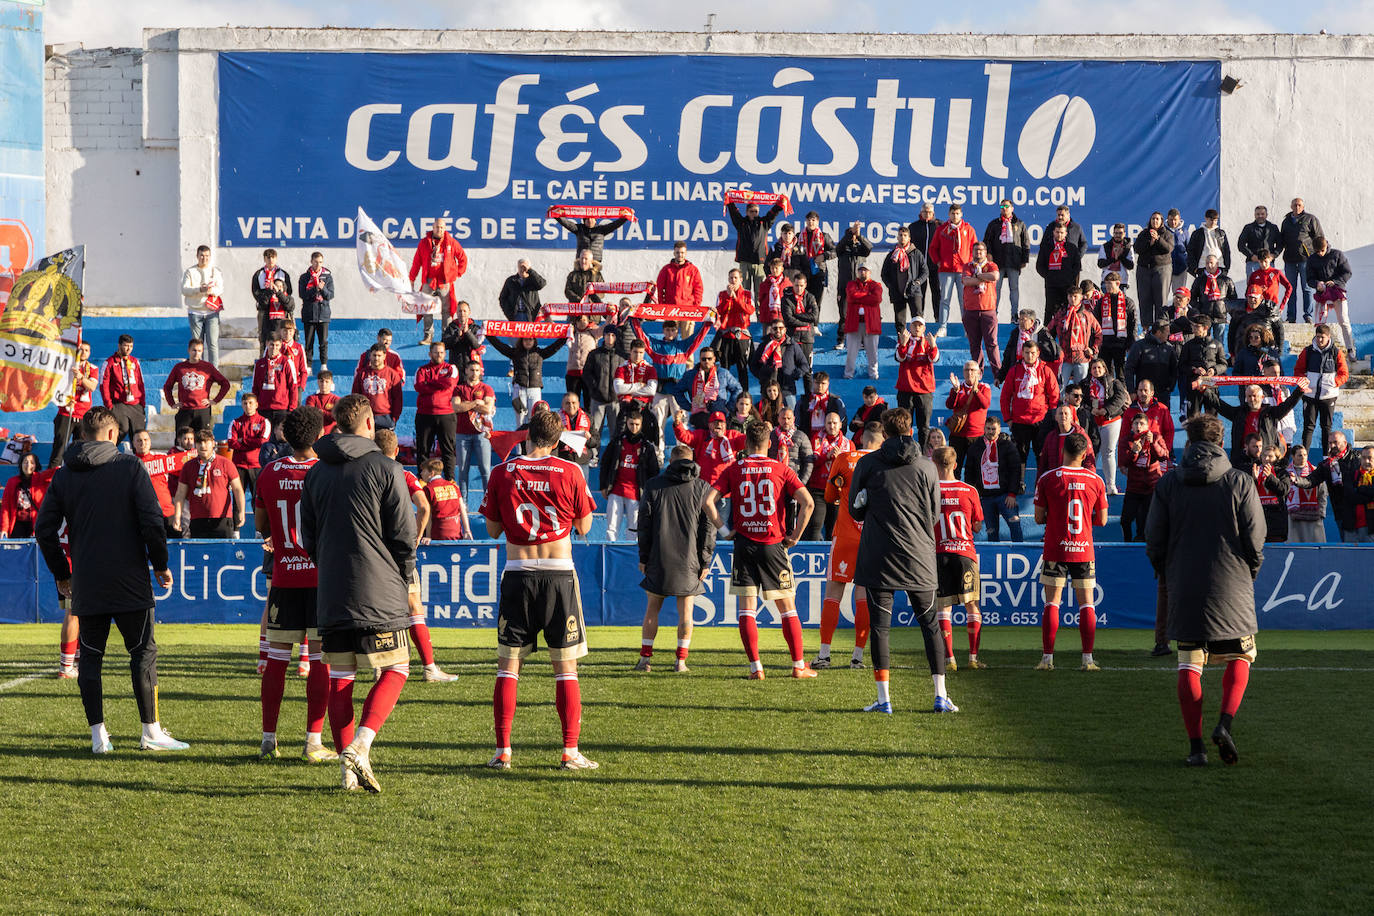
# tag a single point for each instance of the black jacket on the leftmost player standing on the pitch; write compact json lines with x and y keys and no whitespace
{"x":115,"y":529}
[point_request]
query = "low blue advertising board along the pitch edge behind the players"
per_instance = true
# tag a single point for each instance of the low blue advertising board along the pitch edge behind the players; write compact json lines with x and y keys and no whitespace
{"x":1306,"y":588}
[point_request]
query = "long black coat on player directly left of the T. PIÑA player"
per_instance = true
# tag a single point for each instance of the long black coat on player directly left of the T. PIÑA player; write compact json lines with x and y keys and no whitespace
{"x":359,"y":528}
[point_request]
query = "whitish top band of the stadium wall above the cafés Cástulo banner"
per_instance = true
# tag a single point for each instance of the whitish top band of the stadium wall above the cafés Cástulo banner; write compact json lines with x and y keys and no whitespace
{"x":1114,"y":47}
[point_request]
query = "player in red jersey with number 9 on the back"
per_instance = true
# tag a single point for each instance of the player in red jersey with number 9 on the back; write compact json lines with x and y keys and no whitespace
{"x":1070,"y":501}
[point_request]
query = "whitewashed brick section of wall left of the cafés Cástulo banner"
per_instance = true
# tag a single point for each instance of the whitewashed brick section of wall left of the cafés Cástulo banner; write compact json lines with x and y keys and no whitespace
{"x":95,"y":100}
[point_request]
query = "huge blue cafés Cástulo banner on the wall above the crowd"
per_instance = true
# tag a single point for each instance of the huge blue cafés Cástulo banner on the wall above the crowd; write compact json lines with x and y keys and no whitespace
{"x":494,"y":141}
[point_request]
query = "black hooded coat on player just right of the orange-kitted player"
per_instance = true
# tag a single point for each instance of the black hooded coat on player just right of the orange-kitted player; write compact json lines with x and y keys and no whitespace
{"x":895,"y":494}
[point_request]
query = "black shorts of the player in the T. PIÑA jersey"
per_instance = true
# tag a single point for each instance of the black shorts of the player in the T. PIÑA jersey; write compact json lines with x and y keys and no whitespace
{"x":541,"y":601}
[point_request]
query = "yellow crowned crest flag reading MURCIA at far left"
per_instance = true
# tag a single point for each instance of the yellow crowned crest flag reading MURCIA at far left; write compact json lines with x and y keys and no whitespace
{"x":39,"y":333}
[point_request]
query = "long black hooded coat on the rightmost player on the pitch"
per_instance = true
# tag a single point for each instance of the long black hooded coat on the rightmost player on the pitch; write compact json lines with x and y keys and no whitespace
{"x":1206,"y":539}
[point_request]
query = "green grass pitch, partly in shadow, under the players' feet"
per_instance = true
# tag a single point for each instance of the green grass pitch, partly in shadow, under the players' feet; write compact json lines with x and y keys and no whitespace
{"x":1050,"y":792}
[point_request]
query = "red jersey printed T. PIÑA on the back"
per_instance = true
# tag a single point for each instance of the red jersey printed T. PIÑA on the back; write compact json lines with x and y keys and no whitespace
{"x":537,"y":501}
